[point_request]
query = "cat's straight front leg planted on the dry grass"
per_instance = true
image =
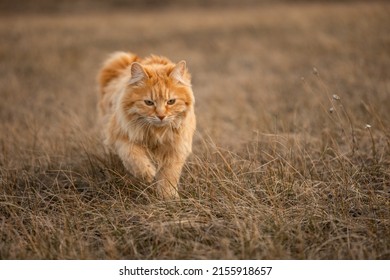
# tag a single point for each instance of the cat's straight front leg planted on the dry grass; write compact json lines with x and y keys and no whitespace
{"x":168,"y":179}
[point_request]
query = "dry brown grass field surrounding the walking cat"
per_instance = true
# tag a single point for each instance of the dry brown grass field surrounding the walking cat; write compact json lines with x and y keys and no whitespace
{"x":291,"y":157}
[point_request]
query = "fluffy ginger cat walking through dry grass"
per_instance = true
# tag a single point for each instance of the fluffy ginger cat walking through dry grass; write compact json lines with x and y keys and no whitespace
{"x":147,"y":112}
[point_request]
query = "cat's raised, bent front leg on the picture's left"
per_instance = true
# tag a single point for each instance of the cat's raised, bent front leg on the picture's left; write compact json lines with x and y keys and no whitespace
{"x":136,"y":161}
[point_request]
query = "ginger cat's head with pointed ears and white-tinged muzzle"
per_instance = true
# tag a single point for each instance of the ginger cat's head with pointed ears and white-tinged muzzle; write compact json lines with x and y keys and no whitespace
{"x":158,"y":94}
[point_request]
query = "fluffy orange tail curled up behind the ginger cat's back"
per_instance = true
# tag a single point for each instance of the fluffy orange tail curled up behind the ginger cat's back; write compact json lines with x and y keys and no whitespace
{"x":113,"y":67}
